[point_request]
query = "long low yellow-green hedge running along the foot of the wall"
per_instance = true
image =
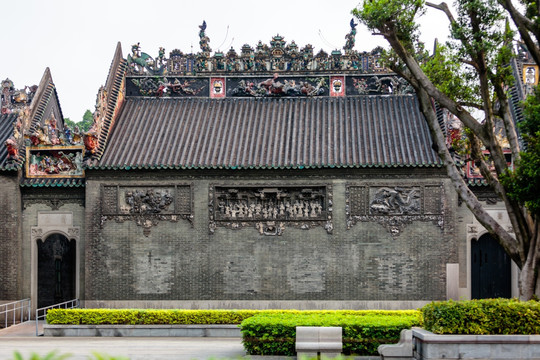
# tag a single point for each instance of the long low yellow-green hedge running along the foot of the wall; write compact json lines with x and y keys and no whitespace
{"x":171,"y":316}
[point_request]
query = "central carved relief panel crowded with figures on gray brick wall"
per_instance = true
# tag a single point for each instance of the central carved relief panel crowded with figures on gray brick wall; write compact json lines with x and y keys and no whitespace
{"x":270,"y":209}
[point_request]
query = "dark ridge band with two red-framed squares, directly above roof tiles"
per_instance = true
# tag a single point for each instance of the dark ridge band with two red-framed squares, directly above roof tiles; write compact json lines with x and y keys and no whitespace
{"x":274,"y":86}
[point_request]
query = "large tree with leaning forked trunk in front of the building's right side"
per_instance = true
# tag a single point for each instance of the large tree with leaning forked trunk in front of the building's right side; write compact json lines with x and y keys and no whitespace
{"x":468,"y":76}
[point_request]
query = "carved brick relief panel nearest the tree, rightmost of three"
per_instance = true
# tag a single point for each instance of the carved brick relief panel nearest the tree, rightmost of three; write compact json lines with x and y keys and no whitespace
{"x":394,"y":206}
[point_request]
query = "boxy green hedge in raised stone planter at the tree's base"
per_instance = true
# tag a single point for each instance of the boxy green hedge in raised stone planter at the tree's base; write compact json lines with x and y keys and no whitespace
{"x":479,"y":317}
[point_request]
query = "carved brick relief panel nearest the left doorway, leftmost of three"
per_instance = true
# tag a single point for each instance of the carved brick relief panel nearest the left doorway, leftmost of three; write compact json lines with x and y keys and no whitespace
{"x":146,"y":205}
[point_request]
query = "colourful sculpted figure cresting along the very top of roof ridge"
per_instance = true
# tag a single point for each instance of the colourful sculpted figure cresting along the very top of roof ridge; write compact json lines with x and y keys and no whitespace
{"x":279,"y":56}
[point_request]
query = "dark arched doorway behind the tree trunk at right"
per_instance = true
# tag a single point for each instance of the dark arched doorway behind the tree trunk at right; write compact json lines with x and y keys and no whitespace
{"x":490,"y":269}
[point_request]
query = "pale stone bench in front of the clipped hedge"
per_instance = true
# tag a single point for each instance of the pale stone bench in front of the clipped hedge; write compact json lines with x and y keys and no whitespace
{"x":312,"y":341}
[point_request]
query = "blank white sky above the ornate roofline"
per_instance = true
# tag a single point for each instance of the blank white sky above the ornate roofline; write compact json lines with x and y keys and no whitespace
{"x":77,"y":39}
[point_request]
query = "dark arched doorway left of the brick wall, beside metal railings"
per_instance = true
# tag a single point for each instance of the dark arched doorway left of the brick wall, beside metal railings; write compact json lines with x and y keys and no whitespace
{"x":56,"y":270}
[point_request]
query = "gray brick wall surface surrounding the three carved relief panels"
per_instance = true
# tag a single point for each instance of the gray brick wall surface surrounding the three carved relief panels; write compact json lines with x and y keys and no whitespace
{"x":178,"y":261}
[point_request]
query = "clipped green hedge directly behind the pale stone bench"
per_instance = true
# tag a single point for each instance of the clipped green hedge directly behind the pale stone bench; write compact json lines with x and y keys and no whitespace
{"x":363,"y":331}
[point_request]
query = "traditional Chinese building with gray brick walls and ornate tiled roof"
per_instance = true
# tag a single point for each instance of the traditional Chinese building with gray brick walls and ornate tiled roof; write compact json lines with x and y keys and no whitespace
{"x":270,"y":177}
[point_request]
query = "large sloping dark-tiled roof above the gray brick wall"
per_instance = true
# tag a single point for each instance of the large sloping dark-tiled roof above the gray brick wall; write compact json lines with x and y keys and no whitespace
{"x":361,"y":131}
